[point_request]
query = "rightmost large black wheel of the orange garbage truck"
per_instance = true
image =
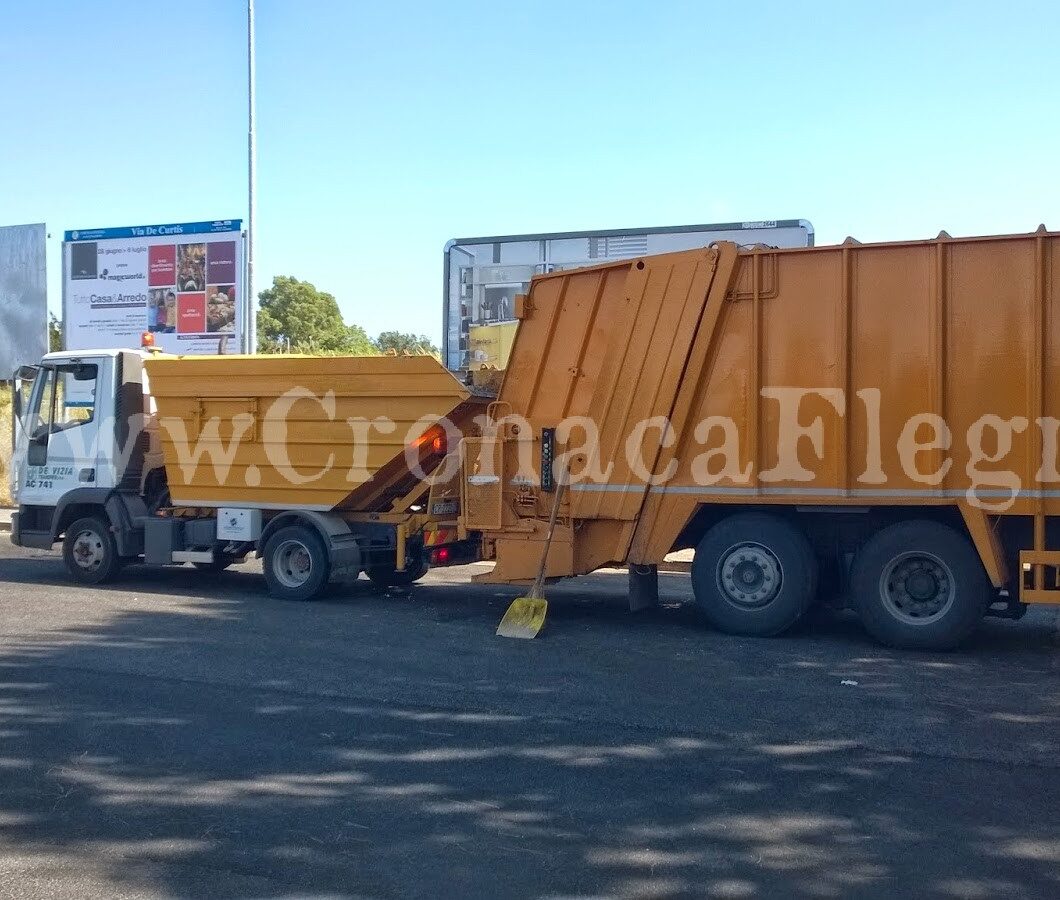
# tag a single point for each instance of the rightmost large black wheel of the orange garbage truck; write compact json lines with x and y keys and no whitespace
{"x":920,"y":586}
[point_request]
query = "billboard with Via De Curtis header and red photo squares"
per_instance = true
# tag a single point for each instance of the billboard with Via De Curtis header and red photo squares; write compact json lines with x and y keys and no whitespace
{"x":184,"y":284}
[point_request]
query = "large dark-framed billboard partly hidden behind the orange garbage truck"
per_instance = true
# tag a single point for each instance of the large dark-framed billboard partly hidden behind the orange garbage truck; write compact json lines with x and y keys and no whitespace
{"x":484,"y":275}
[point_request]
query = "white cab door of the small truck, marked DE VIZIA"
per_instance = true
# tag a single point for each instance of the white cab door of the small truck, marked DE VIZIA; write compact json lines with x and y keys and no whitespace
{"x":62,"y":431}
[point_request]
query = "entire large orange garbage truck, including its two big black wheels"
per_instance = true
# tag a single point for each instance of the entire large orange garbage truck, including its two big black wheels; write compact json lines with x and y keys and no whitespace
{"x":877,"y":420}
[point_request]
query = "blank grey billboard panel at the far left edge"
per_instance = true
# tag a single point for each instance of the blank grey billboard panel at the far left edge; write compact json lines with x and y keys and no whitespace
{"x":24,"y":296}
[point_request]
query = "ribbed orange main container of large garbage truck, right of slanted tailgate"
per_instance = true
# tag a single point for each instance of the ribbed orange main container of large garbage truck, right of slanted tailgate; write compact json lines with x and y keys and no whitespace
{"x":960,"y":329}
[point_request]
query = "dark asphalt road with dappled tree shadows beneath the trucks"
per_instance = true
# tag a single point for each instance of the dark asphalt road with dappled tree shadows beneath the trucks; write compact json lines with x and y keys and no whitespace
{"x":185,"y":735}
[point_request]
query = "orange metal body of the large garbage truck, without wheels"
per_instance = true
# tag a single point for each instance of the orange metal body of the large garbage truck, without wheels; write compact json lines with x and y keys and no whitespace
{"x":927,"y":373}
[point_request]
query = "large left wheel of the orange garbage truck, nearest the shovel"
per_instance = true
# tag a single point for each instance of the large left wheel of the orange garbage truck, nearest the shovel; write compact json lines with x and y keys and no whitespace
{"x":754,"y":574}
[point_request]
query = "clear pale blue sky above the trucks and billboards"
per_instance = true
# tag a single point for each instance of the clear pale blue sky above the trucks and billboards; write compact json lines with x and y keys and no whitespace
{"x":387,"y":129}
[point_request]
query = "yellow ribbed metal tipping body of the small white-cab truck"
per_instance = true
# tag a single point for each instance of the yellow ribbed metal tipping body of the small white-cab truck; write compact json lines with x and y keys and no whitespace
{"x":297,"y":448}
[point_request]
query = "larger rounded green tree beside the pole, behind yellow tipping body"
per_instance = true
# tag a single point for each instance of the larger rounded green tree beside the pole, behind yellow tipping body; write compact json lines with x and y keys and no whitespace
{"x":295,"y":317}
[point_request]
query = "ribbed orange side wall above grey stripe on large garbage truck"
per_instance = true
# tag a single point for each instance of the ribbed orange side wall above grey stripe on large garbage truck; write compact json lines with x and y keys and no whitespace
{"x":957,"y":329}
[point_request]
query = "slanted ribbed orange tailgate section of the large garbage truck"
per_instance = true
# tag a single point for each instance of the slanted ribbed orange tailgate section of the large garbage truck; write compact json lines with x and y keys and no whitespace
{"x":610,"y":344}
